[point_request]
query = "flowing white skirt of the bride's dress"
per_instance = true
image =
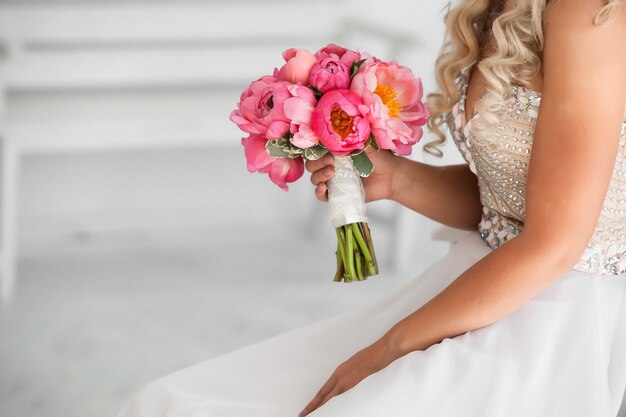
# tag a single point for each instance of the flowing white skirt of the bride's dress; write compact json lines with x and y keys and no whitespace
{"x":563,"y":354}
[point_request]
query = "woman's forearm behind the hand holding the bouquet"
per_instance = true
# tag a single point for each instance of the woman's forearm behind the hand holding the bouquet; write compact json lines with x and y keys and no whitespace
{"x":446,"y":194}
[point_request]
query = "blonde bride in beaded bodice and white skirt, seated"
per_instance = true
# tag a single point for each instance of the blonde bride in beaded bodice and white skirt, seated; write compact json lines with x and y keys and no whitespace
{"x":526,"y":316}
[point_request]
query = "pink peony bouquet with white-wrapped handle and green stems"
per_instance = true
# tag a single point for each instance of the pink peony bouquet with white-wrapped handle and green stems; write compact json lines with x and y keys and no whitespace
{"x":338,"y":101}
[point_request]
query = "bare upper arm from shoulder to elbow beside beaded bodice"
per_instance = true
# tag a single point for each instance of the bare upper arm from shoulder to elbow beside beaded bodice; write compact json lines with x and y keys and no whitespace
{"x":577,"y":134}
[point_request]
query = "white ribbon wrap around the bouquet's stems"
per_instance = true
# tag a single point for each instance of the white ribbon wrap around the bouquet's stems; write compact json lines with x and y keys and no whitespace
{"x":346,"y":197}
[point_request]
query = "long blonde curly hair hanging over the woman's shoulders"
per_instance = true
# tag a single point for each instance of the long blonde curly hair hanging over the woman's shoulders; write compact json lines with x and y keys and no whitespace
{"x":518,"y":36}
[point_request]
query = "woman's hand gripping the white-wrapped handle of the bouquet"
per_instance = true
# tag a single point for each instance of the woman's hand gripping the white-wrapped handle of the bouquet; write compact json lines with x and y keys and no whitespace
{"x":379,"y":185}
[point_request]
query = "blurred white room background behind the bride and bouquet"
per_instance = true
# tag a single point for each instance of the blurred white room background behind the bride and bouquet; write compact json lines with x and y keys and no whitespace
{"x":133,"y":241}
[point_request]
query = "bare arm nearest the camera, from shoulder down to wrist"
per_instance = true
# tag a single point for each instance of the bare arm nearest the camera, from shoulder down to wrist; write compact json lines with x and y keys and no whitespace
{"x":572,"y":160}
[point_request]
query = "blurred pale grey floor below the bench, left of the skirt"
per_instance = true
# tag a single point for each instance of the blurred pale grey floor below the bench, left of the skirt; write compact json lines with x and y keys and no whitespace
{"x":90,"y":326}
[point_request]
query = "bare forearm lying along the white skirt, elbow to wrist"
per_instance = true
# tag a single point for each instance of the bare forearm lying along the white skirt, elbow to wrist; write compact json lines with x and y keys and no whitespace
{"x":493,"y":288}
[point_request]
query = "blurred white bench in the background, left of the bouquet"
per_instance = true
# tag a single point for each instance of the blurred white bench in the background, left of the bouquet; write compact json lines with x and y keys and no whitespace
{"x":93,"y":49}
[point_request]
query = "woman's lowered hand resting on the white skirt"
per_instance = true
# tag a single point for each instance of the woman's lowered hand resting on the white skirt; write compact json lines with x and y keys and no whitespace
{"x":363,"y":364}
